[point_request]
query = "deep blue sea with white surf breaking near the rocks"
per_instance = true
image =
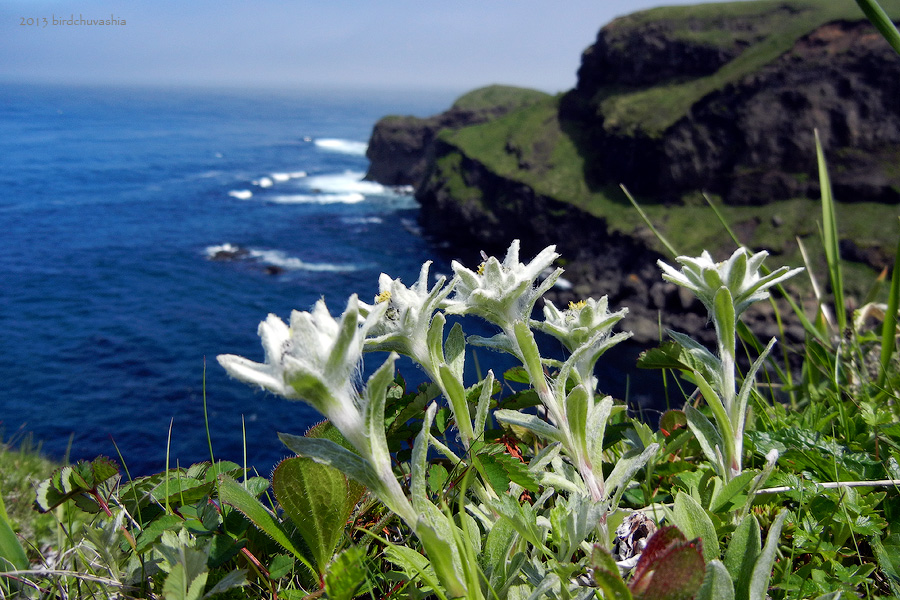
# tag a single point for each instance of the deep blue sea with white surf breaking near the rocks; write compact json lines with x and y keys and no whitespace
{"x":113,"y":203}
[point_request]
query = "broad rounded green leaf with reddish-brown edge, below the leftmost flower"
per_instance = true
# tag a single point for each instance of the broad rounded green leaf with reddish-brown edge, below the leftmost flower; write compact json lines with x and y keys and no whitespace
{"x":316,"y":498}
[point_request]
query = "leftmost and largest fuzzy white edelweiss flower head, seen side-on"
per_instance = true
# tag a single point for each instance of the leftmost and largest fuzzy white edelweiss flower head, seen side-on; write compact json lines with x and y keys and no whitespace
{"x":316,"y":359}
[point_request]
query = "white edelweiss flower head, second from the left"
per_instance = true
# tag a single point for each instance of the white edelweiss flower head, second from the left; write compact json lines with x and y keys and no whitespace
{"x":407,"y":314}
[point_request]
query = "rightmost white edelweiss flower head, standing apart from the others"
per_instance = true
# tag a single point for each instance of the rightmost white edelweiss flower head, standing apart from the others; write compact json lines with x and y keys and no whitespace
{"x":739,"y":274}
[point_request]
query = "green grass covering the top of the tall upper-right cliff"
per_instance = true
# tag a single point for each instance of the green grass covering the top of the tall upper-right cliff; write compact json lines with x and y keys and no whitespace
{"x":768,"y":28}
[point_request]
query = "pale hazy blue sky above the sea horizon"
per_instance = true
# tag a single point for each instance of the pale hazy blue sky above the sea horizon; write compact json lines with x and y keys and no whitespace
{"x":388,"y":44}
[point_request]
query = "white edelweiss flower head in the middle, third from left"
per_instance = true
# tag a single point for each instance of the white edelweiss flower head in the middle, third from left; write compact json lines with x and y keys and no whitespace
{"x":502,"y":293}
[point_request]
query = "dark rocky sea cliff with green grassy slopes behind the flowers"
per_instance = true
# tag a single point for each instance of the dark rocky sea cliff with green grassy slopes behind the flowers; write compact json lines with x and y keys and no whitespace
{"x":673,"y":103}
